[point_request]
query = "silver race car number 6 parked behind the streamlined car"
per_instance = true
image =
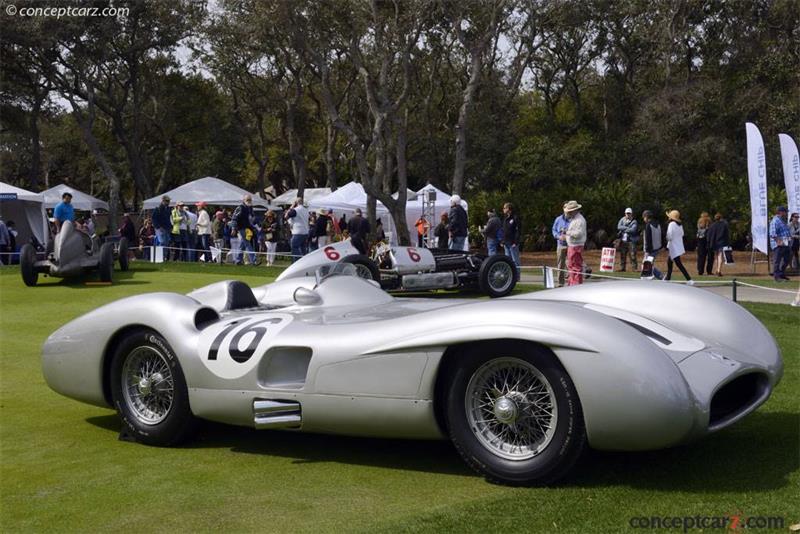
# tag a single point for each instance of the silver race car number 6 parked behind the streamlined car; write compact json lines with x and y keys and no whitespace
{"x":399,"y":268}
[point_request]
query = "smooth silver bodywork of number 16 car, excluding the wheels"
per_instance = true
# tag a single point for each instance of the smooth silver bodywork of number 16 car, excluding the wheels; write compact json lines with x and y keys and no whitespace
{"x":361,"y":362}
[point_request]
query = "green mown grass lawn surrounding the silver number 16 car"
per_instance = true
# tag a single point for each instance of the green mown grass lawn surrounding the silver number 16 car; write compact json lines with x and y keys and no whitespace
{"x":63,"y":469}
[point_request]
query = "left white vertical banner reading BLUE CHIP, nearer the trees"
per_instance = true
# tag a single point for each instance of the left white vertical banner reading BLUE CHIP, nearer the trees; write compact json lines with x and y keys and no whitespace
{"x":757,"y":175}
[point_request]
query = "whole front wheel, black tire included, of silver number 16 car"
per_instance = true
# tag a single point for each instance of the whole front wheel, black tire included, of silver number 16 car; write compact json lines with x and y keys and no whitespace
{"x":546,"y":458}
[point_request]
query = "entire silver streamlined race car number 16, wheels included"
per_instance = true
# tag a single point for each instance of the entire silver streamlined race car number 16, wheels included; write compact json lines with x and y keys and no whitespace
{"x":521,"y":385}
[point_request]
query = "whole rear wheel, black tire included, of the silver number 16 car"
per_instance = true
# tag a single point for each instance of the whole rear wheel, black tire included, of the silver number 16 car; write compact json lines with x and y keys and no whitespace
{"x":153,"y":416}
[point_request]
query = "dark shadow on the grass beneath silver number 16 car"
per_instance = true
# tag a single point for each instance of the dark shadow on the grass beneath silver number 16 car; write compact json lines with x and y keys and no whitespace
{"x":758,"y":455}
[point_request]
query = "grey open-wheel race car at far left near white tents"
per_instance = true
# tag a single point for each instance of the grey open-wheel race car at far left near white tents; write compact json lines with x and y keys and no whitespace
{"x":73,"y":254}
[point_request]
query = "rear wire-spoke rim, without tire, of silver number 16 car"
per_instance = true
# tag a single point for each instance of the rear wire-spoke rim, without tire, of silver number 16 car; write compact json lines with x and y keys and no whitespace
{"x":148,"y":385}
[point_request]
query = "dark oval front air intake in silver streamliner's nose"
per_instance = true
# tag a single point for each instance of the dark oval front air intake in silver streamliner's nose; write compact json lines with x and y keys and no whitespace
{"x":736,"y":398}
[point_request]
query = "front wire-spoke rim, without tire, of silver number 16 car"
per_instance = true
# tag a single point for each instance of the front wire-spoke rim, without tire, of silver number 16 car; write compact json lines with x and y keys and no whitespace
{"x":511,"y":408}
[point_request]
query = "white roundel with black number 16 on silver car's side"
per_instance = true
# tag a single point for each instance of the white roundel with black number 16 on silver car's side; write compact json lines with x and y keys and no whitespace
{"x":232,"y":348}
